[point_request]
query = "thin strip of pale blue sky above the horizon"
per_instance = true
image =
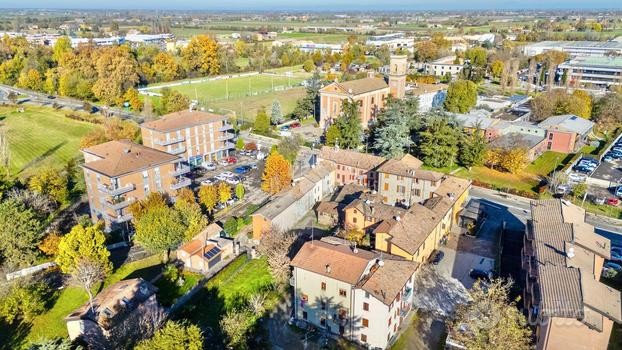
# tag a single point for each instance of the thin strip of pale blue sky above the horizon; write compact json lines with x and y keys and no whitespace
{"x":317,"y":5}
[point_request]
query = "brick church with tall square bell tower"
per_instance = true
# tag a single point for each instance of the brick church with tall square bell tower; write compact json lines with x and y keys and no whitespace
{"x":370,"y":93}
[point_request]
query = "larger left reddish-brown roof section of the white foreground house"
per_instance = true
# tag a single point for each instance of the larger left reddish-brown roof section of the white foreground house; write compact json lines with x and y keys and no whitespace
{"x":334,"y":261}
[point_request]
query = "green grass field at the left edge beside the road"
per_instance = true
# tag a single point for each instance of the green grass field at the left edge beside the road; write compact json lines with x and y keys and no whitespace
{"x":41,"y":137}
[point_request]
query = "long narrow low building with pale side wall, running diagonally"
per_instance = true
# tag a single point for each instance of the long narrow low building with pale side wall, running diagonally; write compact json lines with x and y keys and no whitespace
{"x":289,"y":206}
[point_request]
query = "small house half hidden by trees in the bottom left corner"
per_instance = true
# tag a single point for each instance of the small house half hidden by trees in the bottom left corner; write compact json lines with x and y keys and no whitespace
{"x":112,"y":306}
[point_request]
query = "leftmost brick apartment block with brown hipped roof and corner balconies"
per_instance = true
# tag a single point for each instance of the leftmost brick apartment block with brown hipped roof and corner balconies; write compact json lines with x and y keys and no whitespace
{"x":118,"y":173}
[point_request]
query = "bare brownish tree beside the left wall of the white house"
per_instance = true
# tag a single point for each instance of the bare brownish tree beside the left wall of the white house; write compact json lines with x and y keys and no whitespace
{"x":276,"y":246}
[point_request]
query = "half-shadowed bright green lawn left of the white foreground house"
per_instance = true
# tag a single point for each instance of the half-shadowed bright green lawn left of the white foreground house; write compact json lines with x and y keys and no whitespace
{"x":228,"y":290}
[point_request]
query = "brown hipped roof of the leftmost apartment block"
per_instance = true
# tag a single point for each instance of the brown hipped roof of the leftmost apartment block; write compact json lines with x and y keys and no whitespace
{"x":125,"y":157}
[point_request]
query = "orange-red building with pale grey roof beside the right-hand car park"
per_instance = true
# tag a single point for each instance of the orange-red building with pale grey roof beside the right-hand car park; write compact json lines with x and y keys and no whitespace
{"x":566,"y":133}
